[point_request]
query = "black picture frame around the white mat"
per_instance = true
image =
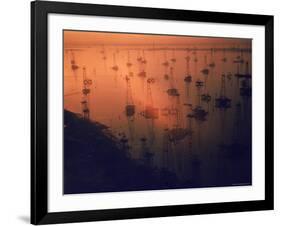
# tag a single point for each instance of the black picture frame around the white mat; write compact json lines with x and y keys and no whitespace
{"x":39,"y":109}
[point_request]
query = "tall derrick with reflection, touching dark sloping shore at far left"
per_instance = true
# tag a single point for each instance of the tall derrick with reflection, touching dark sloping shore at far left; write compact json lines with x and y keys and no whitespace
{"x":87,"y":83}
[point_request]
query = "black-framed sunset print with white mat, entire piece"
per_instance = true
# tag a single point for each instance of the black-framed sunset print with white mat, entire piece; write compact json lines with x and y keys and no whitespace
{"x":145,"y":112}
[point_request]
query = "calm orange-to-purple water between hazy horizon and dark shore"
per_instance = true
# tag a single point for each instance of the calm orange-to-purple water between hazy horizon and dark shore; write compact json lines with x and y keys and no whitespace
{"x":213,"y":148}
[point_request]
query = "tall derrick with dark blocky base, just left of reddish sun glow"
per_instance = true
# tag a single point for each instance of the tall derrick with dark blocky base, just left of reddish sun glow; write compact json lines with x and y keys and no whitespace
{"x":130,"y":108}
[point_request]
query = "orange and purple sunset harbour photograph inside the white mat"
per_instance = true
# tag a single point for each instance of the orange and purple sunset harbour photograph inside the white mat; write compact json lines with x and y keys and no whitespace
{"x":155,"y":111}
